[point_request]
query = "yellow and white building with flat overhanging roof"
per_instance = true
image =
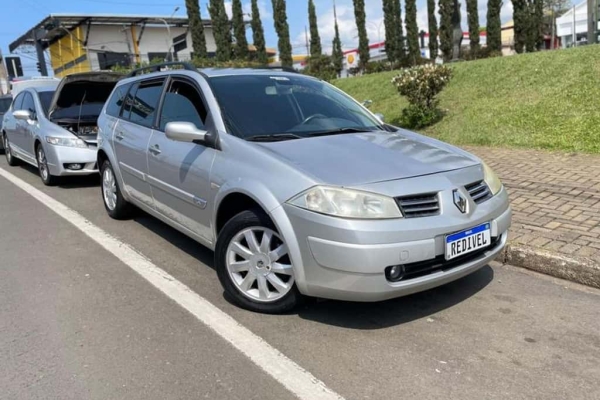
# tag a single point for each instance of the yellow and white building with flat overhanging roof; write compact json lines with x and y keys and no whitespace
{"x":80,"y":43}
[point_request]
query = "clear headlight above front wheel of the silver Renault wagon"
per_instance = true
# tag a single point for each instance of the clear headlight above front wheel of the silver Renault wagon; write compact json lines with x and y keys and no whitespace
{"x":347,"y":203}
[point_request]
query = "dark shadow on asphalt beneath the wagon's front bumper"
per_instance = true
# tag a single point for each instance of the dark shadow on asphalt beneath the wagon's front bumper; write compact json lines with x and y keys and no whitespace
{"x":397,"y":311}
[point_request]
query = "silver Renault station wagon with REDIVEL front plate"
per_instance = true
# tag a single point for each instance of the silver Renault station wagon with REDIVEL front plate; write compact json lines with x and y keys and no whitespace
{"x":298,"y":189}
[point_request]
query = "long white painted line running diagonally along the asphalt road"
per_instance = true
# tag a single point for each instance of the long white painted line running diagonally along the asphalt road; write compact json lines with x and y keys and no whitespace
{"x":296,"y":379}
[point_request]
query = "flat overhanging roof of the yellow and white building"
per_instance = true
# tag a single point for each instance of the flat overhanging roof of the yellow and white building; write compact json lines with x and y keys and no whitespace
{"x":67,"y":22}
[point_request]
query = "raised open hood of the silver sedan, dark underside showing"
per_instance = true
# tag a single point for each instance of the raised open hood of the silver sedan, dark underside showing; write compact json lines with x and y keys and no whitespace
{"x":84,"y":88}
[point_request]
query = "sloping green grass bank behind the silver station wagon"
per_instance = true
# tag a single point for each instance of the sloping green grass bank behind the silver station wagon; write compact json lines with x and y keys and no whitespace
{"x":548,"y":100}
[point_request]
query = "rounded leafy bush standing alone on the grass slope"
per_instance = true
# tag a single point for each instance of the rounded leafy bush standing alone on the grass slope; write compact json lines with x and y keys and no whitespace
{"x":420,"y":85}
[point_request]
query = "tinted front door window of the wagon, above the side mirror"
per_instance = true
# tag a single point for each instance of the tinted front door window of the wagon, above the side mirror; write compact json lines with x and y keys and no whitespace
{"x":183,"y":103}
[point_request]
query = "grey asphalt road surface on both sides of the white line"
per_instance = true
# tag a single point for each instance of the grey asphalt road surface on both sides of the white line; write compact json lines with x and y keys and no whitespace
{"x":77,"y":323}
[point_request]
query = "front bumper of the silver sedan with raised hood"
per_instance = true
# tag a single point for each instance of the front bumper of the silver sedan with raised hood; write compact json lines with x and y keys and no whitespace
{"x":58,"y":156}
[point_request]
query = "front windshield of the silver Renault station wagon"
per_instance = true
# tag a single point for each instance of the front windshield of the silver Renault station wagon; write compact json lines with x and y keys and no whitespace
{"x":262,"y":105}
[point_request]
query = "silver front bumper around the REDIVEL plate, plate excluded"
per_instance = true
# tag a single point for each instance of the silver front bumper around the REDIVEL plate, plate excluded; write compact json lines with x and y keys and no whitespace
{"x":346,"y":260}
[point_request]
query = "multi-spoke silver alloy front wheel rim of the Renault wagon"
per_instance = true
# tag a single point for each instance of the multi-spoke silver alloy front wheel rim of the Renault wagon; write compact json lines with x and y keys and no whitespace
{"x":259,"y":265}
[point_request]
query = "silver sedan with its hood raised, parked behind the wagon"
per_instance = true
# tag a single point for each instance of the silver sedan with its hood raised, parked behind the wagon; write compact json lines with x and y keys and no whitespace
{"x":55,"y":128}
